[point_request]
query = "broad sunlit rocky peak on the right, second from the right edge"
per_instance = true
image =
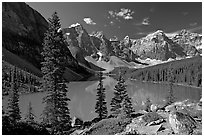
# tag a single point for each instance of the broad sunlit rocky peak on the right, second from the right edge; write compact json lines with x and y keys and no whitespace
{"x":157,"y":46}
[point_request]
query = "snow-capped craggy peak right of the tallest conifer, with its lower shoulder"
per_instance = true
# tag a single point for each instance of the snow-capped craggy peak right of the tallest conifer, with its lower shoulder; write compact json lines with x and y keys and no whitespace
{"x":82,"y":44}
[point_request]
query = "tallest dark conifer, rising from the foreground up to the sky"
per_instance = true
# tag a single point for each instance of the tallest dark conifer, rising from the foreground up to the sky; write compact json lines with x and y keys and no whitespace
{"x":55,"y":55}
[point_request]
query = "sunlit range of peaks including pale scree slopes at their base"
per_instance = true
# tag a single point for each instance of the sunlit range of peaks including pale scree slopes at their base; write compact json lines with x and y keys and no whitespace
{"x":157,"y":47}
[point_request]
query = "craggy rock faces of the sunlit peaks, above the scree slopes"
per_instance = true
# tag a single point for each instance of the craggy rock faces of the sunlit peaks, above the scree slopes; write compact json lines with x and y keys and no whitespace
{"x":156,"y":45}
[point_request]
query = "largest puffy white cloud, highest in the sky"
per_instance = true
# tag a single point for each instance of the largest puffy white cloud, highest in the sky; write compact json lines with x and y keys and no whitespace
{"x":123,"y":13}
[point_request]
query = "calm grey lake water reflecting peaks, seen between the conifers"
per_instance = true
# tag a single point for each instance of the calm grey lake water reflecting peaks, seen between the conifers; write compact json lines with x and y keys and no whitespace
{"x":83,"y":96}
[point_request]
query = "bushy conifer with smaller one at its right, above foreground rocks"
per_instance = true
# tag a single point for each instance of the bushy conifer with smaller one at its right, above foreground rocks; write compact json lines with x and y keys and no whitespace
{"x":119,"y":95}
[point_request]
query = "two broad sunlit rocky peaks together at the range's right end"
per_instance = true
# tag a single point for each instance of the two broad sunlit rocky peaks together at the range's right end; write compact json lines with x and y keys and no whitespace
{"x":160,"y":46}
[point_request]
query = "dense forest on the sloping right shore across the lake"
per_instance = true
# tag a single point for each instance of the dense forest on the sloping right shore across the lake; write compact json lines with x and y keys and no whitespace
{"x":185,"y":71}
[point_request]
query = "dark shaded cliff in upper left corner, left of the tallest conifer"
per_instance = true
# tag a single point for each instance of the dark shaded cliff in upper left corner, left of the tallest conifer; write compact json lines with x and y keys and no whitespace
{"x":23,"y":30}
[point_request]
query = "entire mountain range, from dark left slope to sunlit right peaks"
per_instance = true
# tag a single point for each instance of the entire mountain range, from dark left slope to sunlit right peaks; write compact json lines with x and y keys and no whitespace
{"x":23,"y":30}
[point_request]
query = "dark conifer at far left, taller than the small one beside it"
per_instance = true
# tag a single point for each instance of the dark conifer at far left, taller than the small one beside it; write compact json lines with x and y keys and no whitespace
{"x":13,"y":102}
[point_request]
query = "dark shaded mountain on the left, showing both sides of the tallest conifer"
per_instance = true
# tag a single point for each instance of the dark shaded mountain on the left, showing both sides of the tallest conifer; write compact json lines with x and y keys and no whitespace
{"x":23,"y":31}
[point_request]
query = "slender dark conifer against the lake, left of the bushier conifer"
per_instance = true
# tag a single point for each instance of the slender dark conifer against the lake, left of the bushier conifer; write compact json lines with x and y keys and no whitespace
{"x":101,"y":108}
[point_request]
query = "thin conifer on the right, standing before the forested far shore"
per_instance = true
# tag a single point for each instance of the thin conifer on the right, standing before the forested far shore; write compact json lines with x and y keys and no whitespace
{"x":170,"y":97}
